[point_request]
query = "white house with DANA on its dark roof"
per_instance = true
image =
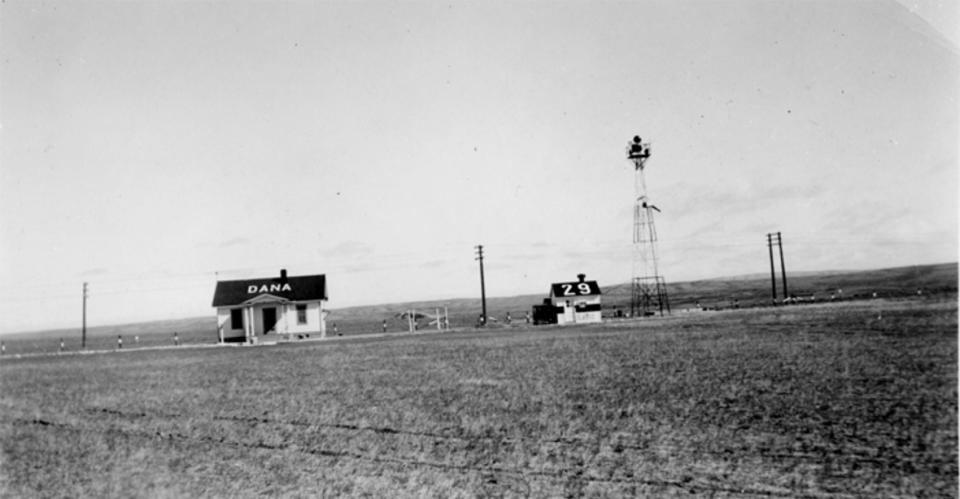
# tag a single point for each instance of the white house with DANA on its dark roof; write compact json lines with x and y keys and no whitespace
{"x":283,"y":307}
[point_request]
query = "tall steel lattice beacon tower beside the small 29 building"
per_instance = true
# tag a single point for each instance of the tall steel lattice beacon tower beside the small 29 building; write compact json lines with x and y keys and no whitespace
{"x":649,"y":289}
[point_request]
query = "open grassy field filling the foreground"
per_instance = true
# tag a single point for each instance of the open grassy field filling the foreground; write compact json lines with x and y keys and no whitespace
{"x":856,"y":399}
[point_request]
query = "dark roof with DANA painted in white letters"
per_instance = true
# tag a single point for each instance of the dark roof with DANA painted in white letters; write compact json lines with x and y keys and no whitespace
{"x":293,"y":288}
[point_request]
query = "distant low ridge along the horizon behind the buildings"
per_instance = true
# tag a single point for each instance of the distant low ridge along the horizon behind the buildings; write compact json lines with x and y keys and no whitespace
{"x":746,"y":290}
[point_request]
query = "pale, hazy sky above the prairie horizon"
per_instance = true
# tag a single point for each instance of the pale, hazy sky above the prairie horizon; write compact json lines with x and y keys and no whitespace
{"x":152,"y":148}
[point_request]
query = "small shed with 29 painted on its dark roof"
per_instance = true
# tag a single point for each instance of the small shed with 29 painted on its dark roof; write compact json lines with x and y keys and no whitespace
{"x":576,"y":302}
